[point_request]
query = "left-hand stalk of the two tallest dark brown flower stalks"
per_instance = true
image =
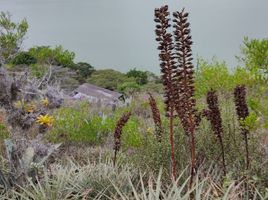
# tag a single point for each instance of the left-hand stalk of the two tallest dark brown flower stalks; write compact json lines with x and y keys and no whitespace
{"x":167,"y":70}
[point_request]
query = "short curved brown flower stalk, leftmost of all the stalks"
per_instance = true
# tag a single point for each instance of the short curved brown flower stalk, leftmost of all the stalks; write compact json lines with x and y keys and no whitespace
{"x":118,"y":133}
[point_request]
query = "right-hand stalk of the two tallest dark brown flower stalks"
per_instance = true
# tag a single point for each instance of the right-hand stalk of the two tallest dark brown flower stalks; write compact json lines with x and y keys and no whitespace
{"x":184,"y":81}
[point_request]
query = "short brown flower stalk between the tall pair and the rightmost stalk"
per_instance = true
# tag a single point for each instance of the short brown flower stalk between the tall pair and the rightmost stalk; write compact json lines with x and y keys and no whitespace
{"x":214,"y":116}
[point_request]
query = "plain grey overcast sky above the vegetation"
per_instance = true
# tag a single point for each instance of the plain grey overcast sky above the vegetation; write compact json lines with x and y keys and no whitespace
{"x":119,"y":34}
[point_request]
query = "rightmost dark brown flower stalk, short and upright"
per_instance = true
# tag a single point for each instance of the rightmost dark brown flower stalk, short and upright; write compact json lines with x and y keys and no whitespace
{"x":242,"y":113}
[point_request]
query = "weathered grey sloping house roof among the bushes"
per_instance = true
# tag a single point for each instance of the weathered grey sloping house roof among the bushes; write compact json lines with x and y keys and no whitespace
{"x":98,"y":92}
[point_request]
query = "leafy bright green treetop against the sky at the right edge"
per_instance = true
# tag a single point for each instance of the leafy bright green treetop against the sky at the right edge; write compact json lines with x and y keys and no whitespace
{"x":255,"y":56}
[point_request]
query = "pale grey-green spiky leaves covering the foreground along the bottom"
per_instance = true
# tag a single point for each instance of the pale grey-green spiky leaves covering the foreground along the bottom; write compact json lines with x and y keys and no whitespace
{"x":100,"y":180}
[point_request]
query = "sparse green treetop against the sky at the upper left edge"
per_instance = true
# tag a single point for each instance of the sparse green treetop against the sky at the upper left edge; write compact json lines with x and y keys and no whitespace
{"x":11,"y":36}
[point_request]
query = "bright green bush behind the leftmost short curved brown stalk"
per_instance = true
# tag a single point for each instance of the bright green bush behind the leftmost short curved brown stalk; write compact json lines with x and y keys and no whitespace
{"x":78,"y":124}
